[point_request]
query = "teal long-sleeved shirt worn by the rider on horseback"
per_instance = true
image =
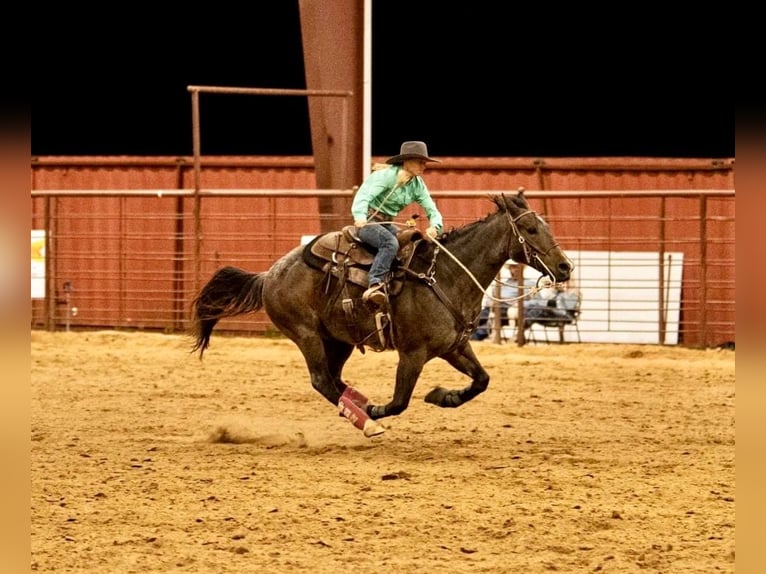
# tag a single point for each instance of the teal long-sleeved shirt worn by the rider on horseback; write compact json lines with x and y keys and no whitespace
{"x":375,"y":193}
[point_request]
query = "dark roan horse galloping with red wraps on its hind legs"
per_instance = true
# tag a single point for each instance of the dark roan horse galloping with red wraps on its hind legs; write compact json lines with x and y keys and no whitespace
{"x":435,"y":296}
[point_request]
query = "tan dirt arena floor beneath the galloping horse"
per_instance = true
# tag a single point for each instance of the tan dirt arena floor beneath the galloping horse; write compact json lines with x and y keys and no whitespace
{"x":578,"y":458}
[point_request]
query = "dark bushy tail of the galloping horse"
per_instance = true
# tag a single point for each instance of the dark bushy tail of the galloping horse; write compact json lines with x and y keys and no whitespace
{"x":230,"y":291}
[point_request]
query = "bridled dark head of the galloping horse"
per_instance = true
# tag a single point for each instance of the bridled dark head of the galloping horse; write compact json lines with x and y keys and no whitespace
{"x":531,"y":240}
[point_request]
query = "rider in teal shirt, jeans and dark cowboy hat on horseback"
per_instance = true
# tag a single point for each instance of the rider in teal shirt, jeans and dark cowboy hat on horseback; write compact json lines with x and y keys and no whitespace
{"x":380,"y":198}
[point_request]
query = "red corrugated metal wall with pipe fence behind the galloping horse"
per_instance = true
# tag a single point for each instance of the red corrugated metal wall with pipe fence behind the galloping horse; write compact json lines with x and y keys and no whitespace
{"x":134,"y":258}
